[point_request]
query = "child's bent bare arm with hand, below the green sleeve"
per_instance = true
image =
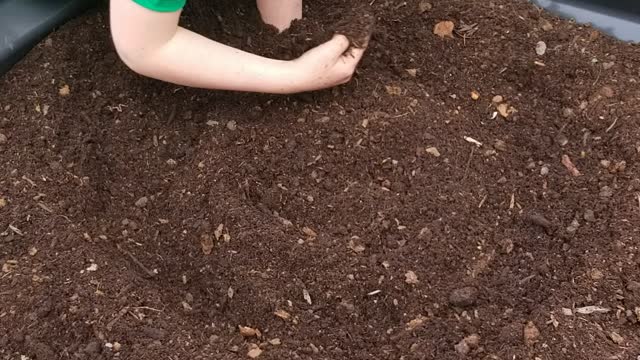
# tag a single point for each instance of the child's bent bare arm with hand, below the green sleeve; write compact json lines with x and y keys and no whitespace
{"x":152,"y":44}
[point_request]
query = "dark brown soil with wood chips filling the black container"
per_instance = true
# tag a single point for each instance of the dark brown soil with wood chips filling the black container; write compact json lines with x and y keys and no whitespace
{"x":391,"y":218}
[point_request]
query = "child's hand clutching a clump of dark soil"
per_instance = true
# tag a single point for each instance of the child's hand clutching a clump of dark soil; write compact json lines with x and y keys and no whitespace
{"x":327,"y":65}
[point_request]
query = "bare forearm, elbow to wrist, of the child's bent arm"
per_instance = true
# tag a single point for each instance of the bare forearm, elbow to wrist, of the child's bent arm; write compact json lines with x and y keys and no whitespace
{"x":192,"y":60}
